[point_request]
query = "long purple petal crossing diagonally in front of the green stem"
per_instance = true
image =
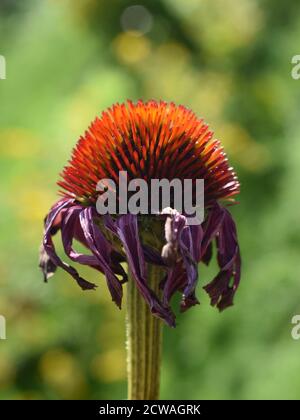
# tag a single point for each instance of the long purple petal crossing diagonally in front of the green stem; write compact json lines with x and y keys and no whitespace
{"x":127,"y":230}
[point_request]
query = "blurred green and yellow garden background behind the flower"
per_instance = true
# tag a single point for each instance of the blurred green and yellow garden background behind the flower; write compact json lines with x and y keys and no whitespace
{"x":230,"y":61}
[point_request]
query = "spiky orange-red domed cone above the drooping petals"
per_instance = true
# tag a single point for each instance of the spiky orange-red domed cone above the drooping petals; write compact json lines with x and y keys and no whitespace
{"x":152,"y":140}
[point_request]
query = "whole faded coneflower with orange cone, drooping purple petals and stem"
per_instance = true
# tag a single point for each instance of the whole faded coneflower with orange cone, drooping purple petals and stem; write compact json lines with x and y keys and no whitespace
{"x":152,"y":140}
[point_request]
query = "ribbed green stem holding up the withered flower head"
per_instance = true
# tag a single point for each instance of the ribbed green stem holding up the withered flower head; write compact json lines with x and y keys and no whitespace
{"x":144,"y":341}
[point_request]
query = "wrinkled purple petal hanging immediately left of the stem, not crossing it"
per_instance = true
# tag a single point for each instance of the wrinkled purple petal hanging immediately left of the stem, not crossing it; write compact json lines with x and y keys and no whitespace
{"x":100,"y":247}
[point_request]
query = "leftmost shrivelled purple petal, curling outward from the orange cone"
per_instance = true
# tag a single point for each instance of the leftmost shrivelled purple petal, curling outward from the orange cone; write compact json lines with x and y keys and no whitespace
{"x":49,"y":248}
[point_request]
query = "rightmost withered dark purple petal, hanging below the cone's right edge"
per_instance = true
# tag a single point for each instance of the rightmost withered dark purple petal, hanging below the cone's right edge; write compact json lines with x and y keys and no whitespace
{"x":220,"y":289}
